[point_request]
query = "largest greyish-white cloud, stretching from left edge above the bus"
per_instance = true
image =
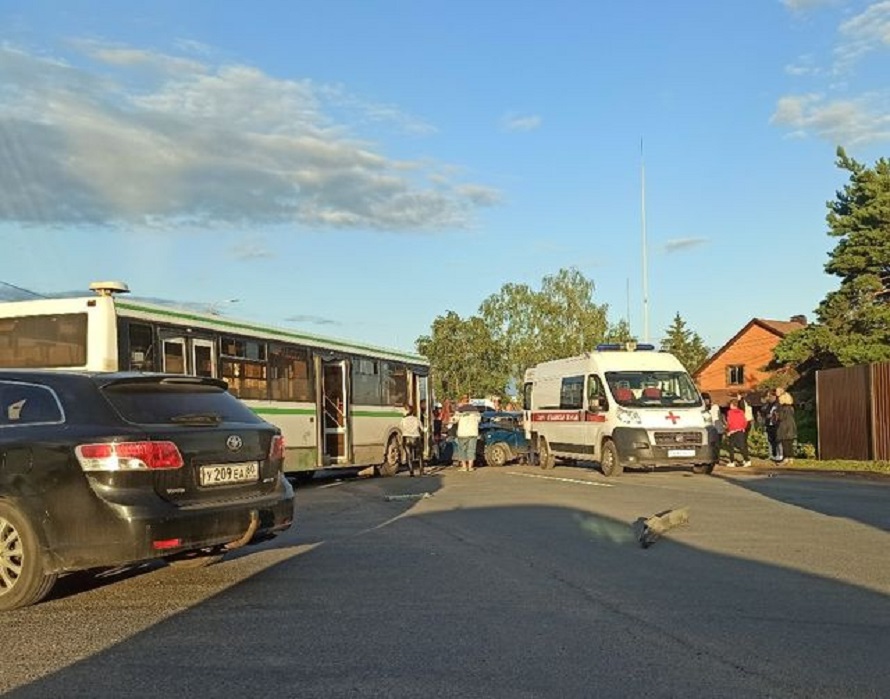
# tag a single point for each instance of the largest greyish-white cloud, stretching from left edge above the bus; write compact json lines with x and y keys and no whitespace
{"x":148,"y":139}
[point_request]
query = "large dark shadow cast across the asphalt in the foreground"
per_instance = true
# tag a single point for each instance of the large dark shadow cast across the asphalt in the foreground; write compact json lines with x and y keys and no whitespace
{"x":381,"y":597}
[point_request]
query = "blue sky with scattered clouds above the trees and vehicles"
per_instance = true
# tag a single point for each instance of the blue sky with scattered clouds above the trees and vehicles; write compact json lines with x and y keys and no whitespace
{"x":356,"y":168}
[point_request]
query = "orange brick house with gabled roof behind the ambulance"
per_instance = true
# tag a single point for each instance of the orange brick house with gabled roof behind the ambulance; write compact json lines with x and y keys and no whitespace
{"x":740,"y":365}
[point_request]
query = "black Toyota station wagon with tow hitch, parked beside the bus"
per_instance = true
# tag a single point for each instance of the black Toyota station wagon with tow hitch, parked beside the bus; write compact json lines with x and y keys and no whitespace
{"x":106,"y":469}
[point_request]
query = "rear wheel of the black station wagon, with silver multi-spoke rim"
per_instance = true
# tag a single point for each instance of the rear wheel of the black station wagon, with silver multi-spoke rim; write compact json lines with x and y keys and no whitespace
{"x":22,"y":578}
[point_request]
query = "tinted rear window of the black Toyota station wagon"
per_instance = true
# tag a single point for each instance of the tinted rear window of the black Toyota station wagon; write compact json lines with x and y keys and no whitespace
{"x":186,"y":403}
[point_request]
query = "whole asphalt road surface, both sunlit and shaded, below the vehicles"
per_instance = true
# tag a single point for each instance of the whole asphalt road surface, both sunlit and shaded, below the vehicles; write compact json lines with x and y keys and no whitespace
{"x":510,"y":582}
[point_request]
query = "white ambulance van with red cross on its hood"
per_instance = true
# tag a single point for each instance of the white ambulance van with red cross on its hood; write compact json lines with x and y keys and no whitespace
{"x":620,"y":405}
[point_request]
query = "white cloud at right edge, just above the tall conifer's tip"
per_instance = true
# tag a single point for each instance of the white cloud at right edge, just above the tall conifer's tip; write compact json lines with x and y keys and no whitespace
{"x":846,"y":122}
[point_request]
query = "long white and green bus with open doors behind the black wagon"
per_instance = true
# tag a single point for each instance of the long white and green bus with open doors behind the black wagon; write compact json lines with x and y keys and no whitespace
{"x":338,"y":403}
